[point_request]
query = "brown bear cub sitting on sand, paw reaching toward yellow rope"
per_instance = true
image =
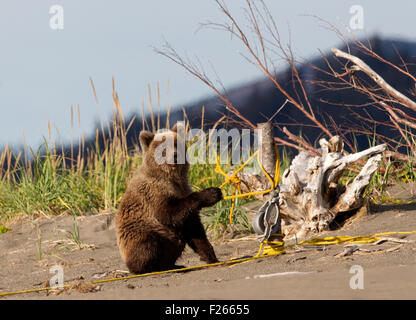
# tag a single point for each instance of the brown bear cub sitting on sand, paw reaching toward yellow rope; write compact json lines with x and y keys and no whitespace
{"x":159,"y":213}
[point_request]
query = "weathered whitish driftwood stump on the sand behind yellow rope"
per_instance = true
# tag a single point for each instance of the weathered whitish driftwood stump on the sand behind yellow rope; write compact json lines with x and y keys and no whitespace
{"x":310,"y":195}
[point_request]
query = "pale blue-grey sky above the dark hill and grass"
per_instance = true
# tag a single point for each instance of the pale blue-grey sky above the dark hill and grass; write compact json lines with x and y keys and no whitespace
{"x":43,"y":71}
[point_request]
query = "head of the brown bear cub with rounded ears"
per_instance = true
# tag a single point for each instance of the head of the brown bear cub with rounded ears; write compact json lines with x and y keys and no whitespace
{"x":165,"y":151}
